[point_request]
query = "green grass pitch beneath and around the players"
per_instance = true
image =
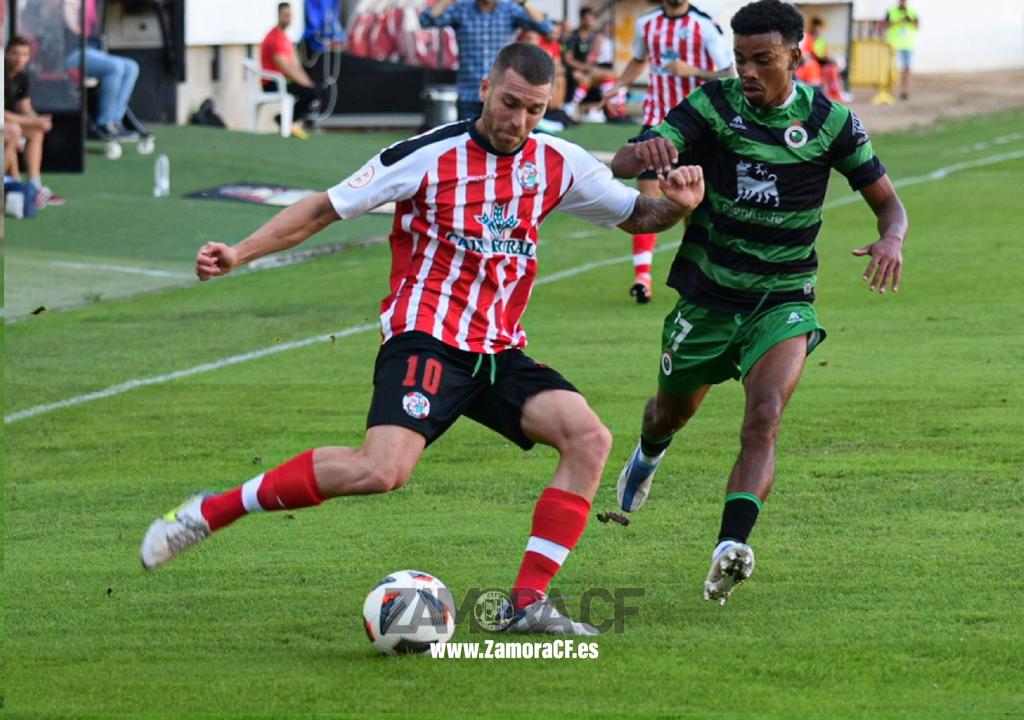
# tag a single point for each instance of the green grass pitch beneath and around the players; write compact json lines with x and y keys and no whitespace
{"x":889,"y":578}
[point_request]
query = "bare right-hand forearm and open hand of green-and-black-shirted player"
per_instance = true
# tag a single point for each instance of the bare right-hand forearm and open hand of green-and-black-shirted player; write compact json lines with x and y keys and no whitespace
{"x":886,"y":266}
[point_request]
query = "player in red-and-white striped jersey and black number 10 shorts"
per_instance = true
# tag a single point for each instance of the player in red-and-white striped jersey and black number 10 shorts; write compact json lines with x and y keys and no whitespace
{"x":471,"y":198}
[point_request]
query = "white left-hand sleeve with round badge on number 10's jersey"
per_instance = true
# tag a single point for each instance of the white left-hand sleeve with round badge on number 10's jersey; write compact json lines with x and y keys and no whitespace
{"x":377,"y":183}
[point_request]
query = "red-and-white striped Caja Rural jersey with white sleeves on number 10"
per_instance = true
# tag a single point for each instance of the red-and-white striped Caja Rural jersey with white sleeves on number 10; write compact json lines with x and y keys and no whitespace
{"x":465,"y":234}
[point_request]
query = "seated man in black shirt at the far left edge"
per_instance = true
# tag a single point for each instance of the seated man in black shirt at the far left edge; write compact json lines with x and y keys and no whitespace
{"x":22,"y":122}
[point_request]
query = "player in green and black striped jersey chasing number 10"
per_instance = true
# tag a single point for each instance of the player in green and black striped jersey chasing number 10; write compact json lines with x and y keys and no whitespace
{"x":746,"y":269}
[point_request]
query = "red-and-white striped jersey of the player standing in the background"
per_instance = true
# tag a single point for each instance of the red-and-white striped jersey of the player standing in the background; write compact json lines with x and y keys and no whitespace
{"x":694,"y":38}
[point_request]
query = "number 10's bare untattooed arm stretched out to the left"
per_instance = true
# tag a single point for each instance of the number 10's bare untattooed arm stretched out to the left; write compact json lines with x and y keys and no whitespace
{"x":286,"y":230}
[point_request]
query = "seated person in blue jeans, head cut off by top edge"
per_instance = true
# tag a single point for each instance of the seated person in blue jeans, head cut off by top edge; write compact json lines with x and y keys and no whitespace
{"x":117,"y":75}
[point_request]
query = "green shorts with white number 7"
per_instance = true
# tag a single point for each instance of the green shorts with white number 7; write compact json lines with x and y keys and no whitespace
{"x":704,"y":348}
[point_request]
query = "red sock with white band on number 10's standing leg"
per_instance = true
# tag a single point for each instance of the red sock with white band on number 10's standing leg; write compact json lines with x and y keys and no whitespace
{"x":559,"y":522}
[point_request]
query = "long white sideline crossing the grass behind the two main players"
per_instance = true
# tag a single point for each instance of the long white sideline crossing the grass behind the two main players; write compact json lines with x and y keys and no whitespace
{"x":938,"y":175}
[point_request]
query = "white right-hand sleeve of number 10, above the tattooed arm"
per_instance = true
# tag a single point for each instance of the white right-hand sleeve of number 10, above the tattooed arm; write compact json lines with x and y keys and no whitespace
{"x":595,"y":196}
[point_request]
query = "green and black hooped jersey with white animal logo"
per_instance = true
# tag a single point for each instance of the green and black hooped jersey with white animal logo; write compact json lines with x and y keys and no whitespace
{"x":751,"y":242}
